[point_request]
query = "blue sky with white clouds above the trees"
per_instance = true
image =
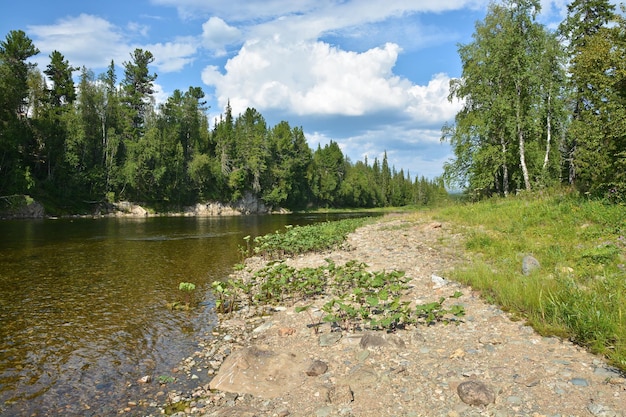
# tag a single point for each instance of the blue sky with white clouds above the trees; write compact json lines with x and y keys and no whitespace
{"x":371,"y":75}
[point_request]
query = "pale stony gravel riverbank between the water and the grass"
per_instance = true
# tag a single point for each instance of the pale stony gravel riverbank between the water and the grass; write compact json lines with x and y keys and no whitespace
{"x":488,"y":363}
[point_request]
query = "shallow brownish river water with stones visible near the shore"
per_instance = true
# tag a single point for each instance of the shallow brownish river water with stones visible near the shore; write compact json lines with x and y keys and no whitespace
{"x":83,"y":304}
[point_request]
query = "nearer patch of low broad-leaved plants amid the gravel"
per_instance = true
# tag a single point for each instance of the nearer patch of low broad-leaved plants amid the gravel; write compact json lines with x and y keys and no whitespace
{"x":359,"y":298}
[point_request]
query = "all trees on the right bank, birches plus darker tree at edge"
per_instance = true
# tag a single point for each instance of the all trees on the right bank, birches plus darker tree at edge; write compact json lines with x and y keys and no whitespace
{"x":541,"y":107}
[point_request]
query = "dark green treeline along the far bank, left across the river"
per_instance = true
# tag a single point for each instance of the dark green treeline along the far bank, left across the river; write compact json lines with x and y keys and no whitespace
{"x":106,"y":140}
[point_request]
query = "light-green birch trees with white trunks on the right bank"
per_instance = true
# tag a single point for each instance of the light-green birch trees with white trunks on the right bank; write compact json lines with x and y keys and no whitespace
{"x":511,"y":83}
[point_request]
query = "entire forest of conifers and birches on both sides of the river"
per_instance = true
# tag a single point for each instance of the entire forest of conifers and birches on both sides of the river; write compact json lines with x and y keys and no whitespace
{"x":541,"y":108}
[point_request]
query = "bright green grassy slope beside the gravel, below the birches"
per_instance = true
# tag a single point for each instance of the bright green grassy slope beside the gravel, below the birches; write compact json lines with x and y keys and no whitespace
{"x":580,"y":290}
